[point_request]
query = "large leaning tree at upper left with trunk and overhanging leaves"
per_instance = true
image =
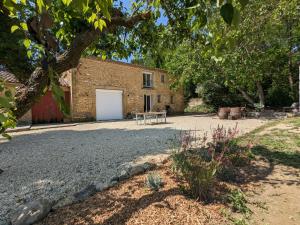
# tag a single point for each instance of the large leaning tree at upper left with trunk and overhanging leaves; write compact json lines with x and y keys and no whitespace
{"x":54,"y":35}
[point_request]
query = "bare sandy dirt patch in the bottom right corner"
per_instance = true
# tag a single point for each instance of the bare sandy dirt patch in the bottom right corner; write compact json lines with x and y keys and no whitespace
{"x":276,"y":198}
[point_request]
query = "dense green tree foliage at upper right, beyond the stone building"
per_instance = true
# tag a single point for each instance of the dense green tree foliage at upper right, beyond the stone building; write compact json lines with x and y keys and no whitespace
{"x":257,"y":58}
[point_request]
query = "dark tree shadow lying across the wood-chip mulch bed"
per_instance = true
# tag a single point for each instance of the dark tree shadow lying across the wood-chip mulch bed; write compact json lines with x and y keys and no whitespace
{"x":116,"y":209}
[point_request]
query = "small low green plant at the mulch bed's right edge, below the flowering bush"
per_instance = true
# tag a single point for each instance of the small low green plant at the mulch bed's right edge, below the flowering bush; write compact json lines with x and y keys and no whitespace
{"x":238,"y":201}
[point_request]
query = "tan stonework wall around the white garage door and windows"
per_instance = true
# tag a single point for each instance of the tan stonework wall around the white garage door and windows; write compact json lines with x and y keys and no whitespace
{"x":92,"y":74}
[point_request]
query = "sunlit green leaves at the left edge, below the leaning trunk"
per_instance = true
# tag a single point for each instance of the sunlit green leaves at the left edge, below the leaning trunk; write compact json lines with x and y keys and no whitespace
{"x":7,"y":105}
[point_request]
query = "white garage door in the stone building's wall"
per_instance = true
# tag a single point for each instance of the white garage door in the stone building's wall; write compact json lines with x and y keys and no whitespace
{"x":109,"y":104}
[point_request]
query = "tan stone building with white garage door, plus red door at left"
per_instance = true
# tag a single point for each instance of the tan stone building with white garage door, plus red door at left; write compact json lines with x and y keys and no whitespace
{"x":105,"y":90}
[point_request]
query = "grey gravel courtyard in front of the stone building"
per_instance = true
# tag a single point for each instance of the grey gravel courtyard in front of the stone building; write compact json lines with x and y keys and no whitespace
{"x":51,"y":163}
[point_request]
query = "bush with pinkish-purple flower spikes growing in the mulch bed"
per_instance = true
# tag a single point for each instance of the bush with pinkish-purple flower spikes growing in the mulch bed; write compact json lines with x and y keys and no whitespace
{"x":198,"y":161}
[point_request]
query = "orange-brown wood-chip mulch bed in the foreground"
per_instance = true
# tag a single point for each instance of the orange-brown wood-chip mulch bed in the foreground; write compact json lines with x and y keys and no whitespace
{"x":131,"y":202}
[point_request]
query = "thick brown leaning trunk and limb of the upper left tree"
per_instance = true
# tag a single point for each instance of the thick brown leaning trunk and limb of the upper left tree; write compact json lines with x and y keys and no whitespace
{"x":32,"y":90}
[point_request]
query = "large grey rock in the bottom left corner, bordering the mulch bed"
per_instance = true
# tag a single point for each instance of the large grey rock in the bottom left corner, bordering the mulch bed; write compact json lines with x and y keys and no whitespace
{"x":31,"y":212}
